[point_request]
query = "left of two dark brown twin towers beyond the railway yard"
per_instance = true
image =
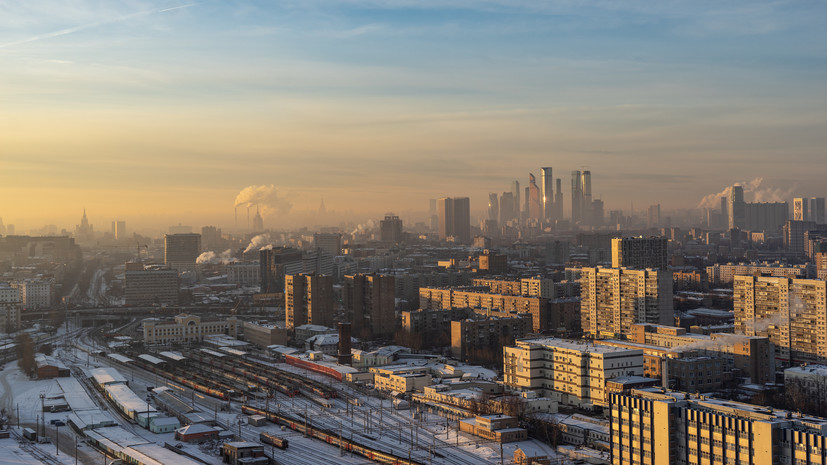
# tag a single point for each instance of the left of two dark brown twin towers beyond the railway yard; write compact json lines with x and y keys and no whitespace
{"x":308,"y":299}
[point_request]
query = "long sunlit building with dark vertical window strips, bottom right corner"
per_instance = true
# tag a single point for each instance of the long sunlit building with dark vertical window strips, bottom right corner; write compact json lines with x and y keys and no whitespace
{"x":653,"y":427}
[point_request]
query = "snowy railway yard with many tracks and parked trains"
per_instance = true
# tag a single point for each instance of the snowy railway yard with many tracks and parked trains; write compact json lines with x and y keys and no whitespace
{"x":302,"y":417}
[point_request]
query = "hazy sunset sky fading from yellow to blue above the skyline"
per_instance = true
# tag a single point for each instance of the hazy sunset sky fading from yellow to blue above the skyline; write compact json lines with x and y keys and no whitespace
{"x":160,"y":112}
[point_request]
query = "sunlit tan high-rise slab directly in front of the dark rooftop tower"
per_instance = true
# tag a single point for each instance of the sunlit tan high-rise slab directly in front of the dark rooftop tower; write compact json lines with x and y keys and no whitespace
{"x":614,"y":299}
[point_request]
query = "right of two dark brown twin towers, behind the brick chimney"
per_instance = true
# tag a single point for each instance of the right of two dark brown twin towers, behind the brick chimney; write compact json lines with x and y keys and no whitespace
{"x":370,"y":304}
